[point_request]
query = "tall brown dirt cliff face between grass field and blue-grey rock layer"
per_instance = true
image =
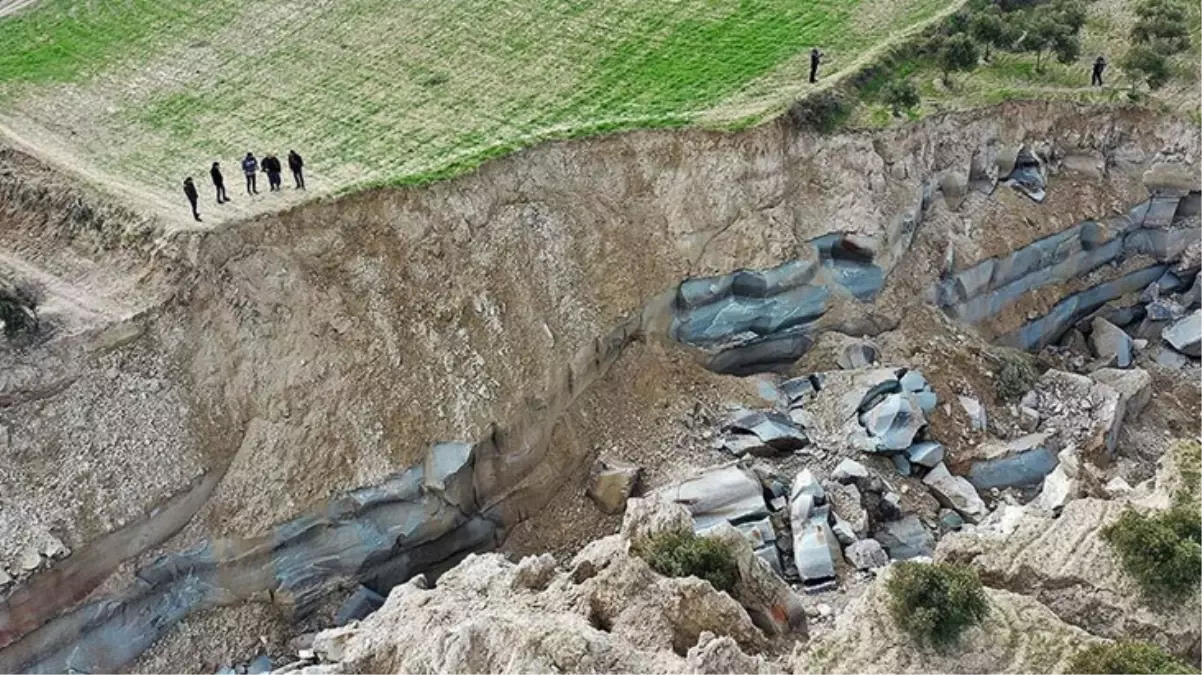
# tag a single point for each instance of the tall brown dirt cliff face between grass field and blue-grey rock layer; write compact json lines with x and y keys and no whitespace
{"x":306,"y":354}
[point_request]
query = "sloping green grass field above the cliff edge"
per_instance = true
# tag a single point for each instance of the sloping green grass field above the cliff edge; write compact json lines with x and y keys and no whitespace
{"x":407,"y":91}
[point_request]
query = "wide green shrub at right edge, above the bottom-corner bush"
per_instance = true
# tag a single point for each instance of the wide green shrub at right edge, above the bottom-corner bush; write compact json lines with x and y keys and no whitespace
{"x":1163,"y":552}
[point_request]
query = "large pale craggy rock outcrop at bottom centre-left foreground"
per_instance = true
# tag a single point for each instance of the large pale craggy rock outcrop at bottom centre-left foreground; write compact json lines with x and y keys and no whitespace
{"x":606,"y":613}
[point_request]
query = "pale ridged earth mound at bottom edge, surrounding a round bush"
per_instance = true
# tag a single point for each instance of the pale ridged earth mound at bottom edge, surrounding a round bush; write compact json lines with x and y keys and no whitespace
{"x":1020,"y":637}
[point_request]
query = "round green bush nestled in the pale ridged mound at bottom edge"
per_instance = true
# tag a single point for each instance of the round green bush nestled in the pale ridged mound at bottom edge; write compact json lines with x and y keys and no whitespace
{"x":936,"y":604}
